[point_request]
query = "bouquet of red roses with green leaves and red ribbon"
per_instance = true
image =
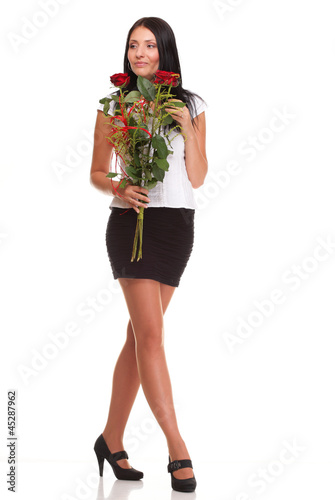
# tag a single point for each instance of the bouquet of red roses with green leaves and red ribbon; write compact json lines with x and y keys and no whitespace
{"x":139,"y":134}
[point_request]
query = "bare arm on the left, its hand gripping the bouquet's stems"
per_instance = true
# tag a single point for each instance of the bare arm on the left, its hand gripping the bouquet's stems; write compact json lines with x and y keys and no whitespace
{"x":102,"y":152}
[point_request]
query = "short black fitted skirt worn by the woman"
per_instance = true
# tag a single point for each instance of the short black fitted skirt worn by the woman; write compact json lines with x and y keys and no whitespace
{"x":168,"y":235}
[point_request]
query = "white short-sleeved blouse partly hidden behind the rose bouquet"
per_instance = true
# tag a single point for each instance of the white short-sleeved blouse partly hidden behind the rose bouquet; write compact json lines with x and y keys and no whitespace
{"x":176,"y":189}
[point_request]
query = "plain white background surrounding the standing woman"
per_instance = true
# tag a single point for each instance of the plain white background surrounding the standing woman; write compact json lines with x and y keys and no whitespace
{"x":251,"y":61}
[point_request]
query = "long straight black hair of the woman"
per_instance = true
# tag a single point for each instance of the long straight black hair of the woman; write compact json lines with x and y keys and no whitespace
{"x":168,"y":57}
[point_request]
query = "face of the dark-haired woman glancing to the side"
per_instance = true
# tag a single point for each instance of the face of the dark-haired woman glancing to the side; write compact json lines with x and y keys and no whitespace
{"x":143,"y":53}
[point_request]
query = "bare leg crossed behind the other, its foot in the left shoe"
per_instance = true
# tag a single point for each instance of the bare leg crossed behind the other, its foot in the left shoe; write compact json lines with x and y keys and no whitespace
{"x":125,"y":386}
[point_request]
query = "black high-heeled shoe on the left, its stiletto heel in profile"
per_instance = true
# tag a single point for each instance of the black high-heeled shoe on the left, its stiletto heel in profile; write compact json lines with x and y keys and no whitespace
{"x":102,"y":452}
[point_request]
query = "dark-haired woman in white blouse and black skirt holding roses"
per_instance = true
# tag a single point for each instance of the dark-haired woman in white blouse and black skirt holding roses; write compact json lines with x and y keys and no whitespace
{"x":148,"y":284}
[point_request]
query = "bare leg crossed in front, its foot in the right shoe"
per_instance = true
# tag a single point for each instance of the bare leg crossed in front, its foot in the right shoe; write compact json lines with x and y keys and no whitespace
{"x":144,"y":303}
